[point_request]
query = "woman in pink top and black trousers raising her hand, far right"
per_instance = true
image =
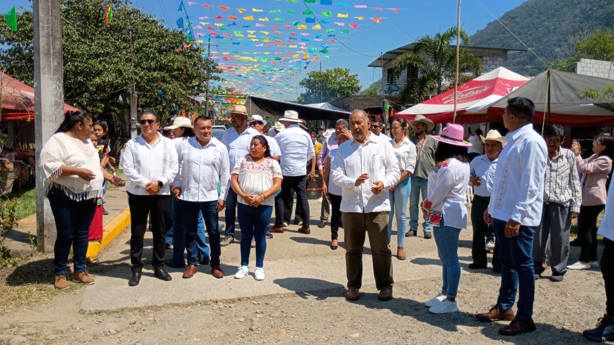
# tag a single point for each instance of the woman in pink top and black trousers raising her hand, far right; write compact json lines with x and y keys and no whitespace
{"x":595,"y":172}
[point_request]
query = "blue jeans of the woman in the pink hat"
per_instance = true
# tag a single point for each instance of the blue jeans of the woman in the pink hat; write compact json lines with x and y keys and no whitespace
{"x":446,"y":238}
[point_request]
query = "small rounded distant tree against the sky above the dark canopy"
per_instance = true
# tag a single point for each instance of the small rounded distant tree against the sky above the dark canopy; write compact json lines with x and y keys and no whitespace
{"x":322,"y":86}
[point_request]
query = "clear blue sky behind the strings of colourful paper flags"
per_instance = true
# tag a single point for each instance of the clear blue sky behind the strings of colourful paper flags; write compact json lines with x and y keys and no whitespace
{"x":351,"y":48}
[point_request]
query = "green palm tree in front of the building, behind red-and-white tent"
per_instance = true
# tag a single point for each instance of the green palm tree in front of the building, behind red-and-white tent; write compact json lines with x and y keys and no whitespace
{"x":432,"y":63}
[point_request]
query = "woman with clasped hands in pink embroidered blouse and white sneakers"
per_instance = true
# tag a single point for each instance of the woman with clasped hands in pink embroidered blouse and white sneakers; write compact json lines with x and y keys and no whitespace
{"x":255,"y":178}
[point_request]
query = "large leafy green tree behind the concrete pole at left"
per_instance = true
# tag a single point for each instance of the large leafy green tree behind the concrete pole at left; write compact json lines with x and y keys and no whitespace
{"x":101,"y":62}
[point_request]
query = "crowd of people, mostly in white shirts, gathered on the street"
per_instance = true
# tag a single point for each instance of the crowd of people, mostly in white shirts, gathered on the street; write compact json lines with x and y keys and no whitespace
{"x":526,"y":189}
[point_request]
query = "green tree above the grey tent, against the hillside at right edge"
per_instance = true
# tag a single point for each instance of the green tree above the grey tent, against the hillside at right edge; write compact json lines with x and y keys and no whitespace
{"x":599,"y":46}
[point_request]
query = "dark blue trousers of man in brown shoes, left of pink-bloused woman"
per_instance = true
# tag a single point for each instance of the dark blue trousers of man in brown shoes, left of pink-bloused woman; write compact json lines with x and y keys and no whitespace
{"x":190,"y":212}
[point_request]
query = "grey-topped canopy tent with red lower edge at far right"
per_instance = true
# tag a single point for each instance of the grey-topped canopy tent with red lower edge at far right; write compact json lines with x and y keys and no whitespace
{"x":561,"y":95}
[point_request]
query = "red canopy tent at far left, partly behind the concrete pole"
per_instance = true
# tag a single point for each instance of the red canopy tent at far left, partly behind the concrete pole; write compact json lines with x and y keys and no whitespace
{"x":17,"y":100}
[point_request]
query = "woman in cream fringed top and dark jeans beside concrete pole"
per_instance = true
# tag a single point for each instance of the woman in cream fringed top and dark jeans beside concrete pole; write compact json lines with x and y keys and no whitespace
{"x":73,"y":181}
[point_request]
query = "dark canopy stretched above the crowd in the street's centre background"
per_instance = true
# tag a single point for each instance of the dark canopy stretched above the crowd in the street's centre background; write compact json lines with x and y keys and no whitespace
{"x":271,"y":107}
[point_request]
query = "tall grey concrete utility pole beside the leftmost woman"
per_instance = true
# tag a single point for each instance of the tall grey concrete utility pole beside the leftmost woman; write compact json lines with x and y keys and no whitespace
{"x":49,"y":94}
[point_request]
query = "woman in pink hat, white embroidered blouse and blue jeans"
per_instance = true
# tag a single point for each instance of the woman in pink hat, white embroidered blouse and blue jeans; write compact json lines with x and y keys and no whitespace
{"x":445,"y":205}
